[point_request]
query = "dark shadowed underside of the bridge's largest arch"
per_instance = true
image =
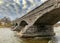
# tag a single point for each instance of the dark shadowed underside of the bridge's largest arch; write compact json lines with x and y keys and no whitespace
{"x":49,"y":18}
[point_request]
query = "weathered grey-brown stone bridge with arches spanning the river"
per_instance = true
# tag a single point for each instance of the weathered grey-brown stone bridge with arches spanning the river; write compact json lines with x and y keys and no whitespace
{"x":39,"y":22}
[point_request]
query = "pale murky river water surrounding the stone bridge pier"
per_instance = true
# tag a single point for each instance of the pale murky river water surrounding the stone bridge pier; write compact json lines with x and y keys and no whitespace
{"x":8,"y":36}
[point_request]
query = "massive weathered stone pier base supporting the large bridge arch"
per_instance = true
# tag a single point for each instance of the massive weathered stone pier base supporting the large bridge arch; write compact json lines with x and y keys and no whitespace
{"x":39,"y":31}
